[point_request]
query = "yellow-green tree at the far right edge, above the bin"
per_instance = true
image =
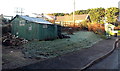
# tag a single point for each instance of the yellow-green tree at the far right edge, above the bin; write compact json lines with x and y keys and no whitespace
{"x":111,"y":14}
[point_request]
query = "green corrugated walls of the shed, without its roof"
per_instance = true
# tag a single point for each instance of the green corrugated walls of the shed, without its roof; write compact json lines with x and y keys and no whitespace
{"x":31,"y":31}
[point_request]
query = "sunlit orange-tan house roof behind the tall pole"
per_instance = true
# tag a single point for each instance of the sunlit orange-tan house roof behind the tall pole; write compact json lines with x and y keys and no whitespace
{"x":70,"y":18}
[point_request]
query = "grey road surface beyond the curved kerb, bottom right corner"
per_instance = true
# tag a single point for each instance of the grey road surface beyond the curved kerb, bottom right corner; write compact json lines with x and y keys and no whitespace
{"x":110,"y":62}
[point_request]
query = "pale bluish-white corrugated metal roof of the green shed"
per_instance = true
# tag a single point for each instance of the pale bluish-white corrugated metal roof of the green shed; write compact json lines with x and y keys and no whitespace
{"x":37,"y":20}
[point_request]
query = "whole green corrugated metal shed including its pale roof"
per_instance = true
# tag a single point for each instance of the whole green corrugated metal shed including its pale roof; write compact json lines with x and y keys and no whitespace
{"x":33,"y":28}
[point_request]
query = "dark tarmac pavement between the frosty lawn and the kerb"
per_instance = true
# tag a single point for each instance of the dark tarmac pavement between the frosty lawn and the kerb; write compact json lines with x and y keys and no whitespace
{"x":76,"y":59}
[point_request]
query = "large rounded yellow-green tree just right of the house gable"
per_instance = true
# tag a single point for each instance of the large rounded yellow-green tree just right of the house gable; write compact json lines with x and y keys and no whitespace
{"x":97,"y":15}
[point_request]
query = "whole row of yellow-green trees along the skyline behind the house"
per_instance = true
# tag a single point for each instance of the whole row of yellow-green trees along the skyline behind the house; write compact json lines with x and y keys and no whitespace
{"x":97,"y":15}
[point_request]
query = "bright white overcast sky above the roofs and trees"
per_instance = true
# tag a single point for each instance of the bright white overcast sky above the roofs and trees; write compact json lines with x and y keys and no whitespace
{"x":8,"y":7}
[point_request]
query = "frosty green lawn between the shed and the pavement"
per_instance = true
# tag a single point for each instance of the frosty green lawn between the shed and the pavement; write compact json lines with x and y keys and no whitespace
{"x":48,"y":49}
